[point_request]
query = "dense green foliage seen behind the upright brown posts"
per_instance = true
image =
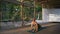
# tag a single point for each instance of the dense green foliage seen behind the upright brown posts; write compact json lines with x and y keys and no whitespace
{"x":9,"y":9}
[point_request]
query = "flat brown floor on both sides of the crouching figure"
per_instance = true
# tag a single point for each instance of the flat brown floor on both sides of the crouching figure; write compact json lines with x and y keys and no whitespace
{"x":52,"y":28}
